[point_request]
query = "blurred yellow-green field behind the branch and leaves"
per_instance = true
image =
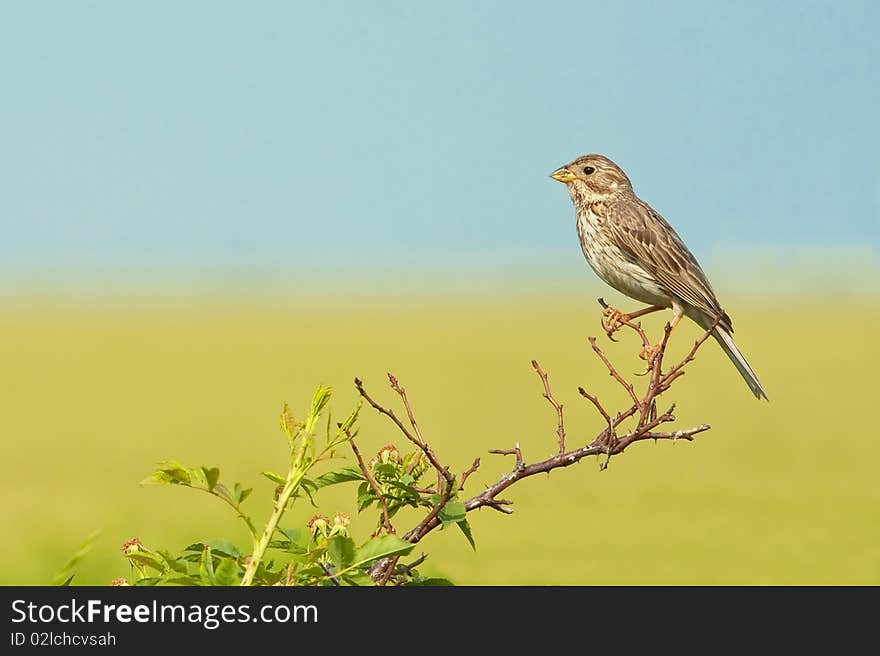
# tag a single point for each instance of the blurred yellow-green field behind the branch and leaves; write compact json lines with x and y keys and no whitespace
{"x":778,"y":493}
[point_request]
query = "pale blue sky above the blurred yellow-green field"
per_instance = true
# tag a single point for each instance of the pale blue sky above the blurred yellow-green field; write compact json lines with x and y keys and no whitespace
{"x":234,"y":138}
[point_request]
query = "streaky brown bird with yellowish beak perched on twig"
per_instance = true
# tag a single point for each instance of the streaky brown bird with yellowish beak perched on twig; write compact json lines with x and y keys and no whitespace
{"x":633,"y":248}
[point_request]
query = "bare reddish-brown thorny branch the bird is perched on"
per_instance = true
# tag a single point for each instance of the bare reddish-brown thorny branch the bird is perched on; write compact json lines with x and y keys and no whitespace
{"x":608,"y":442}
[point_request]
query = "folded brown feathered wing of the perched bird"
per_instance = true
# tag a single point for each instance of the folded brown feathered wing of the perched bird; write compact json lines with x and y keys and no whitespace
{"x":649,"y":241}
